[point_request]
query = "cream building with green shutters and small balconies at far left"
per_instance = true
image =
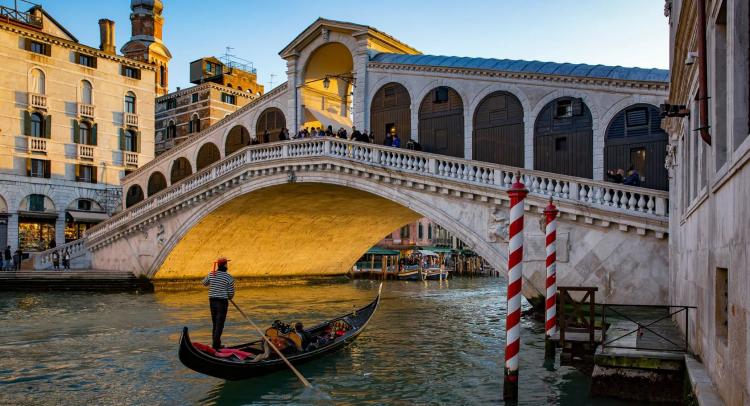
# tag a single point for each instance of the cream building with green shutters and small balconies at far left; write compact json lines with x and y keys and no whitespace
{"x":75,"y":119}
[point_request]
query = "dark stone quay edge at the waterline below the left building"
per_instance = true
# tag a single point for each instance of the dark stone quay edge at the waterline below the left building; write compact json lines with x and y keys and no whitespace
{"x":70,"y":280}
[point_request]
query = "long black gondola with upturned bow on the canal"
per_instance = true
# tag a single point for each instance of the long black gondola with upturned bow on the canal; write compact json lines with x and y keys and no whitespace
{"x":234,"y":369}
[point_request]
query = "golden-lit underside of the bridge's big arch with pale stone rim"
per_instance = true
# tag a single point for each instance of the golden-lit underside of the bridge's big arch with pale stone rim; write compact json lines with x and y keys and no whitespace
{"x":251,"y":224}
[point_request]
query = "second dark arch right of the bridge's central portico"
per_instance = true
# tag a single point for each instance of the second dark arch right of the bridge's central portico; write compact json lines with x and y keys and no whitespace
{"x":441,"y":122}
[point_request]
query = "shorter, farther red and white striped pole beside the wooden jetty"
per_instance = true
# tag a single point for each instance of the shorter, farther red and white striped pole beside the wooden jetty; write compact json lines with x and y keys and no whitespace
{"x":550,"y":305}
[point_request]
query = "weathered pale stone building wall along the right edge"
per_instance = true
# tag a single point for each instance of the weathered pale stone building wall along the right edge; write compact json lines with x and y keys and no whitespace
{"x":709,"y":232}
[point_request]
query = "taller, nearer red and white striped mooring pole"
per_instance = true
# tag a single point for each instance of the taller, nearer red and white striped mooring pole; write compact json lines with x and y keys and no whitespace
{"x":517,"y":194}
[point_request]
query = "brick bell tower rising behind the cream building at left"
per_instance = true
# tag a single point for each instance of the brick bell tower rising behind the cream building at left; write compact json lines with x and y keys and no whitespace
{"x":146,"y":40}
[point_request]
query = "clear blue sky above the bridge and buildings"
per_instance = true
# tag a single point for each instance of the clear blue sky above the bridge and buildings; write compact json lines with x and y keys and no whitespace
{"x":609,"y":32}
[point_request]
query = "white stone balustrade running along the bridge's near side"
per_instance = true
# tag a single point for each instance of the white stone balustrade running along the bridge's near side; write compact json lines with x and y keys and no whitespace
{"x":620,"y":199}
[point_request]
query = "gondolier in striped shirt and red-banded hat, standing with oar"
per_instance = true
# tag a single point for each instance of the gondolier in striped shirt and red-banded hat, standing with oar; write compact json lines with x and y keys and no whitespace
{"x":220,"y":291}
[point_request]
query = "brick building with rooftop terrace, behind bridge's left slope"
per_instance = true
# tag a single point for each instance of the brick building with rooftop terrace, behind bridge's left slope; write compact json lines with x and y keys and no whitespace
{"x":221,"y":87}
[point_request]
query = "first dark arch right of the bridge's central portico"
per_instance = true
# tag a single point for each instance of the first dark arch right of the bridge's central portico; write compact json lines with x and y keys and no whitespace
{"x":390,"y":108}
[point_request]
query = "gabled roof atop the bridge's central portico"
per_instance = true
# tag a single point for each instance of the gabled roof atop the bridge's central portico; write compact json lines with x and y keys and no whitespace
{"x":377,"y":40}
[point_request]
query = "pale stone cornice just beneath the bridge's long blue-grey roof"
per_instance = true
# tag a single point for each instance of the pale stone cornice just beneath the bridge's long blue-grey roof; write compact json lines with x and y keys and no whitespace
{"x":630,"y":84}
